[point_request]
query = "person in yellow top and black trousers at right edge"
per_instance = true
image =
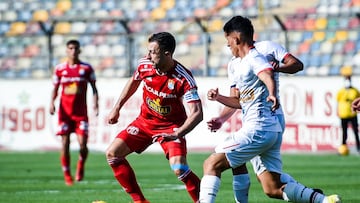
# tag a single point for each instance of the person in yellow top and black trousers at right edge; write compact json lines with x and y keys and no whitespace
{"x":346,"y":112}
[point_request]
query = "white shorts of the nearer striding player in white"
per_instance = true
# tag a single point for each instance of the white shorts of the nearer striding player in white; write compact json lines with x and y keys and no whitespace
{"x":244,"y":145}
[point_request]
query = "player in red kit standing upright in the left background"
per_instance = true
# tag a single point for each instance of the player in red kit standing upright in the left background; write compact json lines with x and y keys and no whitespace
{"x":73,"y":76}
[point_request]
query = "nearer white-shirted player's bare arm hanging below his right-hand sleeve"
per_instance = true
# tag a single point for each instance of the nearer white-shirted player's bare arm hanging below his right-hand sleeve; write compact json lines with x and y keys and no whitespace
{"x":267,"y":77}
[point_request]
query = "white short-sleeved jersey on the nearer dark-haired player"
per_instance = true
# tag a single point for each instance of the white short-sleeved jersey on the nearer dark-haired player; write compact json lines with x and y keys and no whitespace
{"x":256,"y":111}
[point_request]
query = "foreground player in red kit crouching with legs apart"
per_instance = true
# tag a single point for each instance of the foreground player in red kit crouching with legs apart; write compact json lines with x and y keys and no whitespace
{"x":166,"y":85}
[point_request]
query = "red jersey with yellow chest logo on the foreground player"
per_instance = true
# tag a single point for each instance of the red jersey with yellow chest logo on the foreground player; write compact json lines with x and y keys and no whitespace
{"x":163,"y":94}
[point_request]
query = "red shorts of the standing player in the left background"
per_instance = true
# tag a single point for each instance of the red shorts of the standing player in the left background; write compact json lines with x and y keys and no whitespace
{"x":79,"y":127}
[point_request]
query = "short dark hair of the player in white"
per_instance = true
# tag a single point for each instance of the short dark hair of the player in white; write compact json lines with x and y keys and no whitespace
{"x":242,"y":25}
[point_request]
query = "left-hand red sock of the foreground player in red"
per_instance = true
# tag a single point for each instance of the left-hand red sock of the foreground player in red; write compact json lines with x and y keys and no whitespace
{"x":125,"y":175}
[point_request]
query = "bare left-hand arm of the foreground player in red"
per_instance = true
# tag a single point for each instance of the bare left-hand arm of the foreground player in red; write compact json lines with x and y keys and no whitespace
{"x":129,"y":89}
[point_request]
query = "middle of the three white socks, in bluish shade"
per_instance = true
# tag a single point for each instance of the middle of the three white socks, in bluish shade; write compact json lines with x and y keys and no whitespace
{"x":241,"y":186}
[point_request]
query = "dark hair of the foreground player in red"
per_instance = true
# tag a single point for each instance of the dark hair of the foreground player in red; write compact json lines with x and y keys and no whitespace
{"x":165,"y":40}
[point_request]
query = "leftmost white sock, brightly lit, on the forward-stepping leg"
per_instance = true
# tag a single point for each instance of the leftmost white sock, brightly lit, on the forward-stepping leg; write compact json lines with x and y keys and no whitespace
{"x":209,"y":188}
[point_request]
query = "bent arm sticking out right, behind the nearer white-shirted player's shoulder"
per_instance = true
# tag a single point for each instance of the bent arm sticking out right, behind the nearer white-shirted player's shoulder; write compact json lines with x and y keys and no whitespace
{"x":290,"y":65}
